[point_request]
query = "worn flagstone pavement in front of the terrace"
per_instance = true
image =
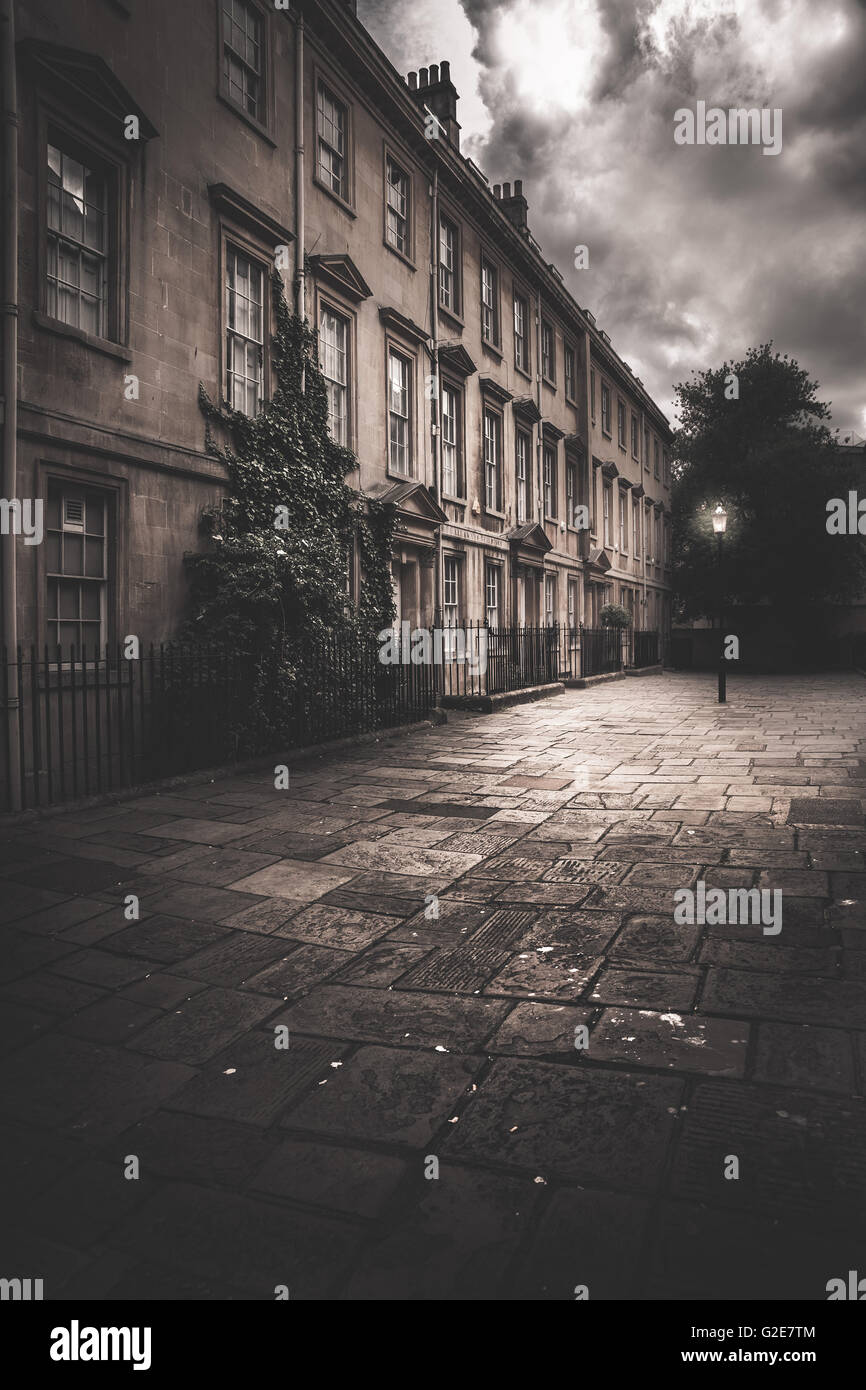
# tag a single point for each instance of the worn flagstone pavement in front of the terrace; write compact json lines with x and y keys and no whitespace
{"x":436,"y":925}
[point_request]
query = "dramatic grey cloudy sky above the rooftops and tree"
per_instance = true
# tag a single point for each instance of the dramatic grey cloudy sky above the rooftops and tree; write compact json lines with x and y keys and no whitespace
{"x":696,"y":252}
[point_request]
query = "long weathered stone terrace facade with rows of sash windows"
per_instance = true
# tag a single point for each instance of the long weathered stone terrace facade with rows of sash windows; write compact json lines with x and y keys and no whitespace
{"x":475,"y":391}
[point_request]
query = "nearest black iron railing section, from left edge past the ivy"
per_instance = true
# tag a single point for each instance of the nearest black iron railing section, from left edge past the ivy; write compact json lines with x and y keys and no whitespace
{"x":95,"y":721}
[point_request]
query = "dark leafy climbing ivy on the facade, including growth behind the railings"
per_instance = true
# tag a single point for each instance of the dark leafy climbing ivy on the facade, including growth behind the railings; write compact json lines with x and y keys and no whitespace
{"x":270,"y":590}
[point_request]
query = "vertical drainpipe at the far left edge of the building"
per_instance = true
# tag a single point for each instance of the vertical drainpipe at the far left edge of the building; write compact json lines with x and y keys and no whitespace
{"x":10,"y":386}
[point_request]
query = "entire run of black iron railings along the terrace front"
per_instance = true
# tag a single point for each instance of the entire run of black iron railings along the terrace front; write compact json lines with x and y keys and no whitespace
{"x":98,"y":721}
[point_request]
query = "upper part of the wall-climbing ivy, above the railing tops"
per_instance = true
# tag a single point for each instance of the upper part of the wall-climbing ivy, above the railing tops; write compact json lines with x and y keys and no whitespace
{"x":276,"y":569}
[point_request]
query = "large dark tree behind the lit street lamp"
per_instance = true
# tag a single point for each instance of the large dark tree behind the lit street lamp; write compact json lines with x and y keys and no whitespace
{"x":753,"y":439}
